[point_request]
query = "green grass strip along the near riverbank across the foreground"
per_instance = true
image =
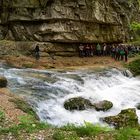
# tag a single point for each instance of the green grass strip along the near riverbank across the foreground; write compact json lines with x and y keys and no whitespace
{"x":29,"y":125}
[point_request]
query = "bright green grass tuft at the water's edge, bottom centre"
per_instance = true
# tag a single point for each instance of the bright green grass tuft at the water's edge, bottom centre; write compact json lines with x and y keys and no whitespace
{"x":87,"y":130}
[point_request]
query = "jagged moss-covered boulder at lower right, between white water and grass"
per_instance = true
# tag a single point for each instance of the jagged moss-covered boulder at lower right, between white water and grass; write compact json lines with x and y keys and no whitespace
{"x":126,"y":118}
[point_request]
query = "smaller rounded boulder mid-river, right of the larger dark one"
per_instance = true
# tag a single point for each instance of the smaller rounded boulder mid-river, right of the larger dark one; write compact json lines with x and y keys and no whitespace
{"x":103,"y":105}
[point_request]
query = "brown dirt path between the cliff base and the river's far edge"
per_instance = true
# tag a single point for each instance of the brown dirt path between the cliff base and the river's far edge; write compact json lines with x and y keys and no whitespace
{"x":62,"y":62}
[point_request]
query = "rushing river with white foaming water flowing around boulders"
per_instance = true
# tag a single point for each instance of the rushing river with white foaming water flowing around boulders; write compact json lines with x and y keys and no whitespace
{"x":48,"y":90}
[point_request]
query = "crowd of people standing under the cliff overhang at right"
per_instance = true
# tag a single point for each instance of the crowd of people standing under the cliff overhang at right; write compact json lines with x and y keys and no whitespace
{"x":116,"y":51}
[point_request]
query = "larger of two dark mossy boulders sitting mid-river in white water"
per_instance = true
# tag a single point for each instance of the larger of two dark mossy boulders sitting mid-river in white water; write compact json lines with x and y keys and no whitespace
{"x":77,"y":103}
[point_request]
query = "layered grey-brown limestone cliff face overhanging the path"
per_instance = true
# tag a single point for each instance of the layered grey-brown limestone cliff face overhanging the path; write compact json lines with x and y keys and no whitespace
{"x":66,"y":20}
